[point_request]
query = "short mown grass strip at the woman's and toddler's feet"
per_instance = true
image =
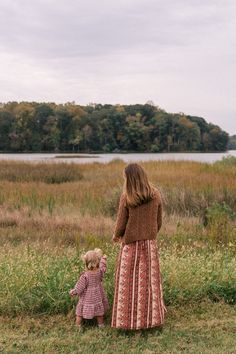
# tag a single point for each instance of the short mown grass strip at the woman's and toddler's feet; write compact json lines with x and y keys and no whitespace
{"x":203,"y":328}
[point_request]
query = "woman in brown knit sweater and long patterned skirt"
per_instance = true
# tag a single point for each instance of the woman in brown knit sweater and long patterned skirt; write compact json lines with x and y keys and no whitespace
{"x":138,"y":301}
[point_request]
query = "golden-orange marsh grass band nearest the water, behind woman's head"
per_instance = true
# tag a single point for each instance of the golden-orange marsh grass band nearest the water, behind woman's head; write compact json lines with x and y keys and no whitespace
{"x":188,"y":188}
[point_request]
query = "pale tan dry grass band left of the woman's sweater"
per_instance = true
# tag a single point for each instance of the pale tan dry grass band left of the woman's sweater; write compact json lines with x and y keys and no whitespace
{"x":64,"y":227}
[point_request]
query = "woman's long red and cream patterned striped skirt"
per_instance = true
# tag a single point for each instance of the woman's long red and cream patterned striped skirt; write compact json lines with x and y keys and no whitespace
{"x":138,"y":300}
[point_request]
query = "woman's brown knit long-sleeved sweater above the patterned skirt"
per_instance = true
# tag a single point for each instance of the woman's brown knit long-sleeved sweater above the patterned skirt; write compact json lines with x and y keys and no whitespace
{"x":140,"y":223}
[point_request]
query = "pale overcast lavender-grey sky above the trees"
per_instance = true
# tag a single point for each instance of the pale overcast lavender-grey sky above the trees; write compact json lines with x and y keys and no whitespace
{"x":180,"y":54}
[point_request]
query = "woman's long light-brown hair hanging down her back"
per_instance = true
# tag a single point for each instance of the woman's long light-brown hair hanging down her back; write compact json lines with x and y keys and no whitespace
{"x":137,"y":188}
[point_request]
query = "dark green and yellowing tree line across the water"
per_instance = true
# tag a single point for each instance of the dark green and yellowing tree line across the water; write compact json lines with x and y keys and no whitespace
{"x":50,"y":127}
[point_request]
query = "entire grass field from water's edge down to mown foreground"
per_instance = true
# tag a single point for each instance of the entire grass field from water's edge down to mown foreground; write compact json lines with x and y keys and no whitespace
{"x":51,"y":213}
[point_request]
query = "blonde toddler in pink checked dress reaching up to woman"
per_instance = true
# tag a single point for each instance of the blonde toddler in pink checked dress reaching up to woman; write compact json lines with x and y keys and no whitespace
{"x":92,"y":298}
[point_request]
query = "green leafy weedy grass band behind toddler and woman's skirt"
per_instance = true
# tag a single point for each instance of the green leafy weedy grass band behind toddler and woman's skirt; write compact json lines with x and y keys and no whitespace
{"x":37,"y":279}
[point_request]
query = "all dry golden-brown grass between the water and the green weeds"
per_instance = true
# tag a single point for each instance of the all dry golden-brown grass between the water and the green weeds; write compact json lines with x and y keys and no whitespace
{"x":62,"y":211}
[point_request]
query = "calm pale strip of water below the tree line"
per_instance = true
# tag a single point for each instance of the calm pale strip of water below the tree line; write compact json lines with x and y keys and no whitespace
{"x":86,"y":158}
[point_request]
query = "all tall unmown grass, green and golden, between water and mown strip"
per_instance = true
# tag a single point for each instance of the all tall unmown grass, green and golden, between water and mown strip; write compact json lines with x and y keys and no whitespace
{"x":44,"y":227}
